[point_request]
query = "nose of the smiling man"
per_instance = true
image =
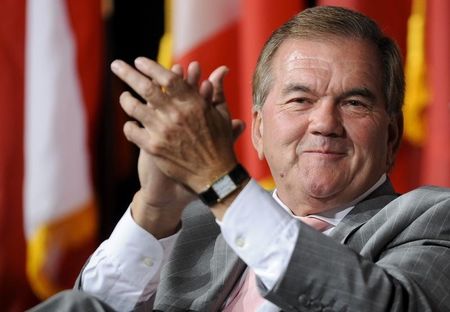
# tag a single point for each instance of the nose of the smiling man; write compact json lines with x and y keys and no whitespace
{"x":325,"y":119}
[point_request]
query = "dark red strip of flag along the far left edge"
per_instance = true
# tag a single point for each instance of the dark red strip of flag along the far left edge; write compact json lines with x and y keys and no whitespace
{"x":15,"y":293}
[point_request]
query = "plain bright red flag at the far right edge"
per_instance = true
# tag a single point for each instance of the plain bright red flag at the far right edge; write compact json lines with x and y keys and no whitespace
{"x":436,"y":147}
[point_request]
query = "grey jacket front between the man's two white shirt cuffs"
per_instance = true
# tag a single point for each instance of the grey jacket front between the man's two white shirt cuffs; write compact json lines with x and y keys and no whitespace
{"x":202,"y":268}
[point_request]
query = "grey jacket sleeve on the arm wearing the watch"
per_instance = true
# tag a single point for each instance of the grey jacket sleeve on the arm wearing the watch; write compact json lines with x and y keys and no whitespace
{"x":397,"y":261}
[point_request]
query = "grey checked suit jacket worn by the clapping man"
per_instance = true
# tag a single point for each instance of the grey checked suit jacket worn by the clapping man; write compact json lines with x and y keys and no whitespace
{"x":389,"y":253}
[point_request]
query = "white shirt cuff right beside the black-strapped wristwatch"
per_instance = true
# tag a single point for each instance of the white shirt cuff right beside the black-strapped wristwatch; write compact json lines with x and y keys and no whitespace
{"x":260,"y":232}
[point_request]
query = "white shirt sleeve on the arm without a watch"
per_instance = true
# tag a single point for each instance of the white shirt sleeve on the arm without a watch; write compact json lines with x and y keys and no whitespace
{"x":124,"y":270}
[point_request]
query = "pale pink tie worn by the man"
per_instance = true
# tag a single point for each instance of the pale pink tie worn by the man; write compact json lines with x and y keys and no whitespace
{"x":247,"y":298}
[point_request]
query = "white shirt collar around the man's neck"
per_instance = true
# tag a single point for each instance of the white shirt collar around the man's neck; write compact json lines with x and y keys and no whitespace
{"x":336,"y":215}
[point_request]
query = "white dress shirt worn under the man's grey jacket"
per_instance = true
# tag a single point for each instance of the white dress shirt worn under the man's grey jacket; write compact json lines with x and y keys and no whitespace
{"x":125,"y":269}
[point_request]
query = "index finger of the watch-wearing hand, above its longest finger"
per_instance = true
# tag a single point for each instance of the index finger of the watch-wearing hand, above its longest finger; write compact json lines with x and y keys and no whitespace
{"x":168,"y":80}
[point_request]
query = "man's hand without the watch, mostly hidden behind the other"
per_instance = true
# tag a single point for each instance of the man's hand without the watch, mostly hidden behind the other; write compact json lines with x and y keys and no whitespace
{"x":158,"y":205}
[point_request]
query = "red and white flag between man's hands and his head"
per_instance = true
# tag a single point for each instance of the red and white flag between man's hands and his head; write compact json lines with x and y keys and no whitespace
{"x":231,"y":33}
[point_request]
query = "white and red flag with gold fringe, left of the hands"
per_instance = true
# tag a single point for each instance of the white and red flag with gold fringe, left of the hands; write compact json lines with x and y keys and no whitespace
{"x":59,"y":206}
